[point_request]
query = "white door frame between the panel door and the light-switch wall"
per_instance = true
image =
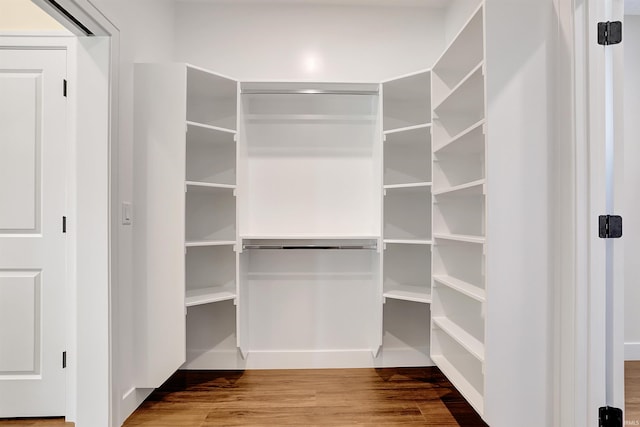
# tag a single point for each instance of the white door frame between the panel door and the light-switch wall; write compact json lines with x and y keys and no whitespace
{"x":93,"y":129}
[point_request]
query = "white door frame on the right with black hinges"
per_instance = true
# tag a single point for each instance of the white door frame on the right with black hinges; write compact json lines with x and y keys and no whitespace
{"x":594,"y":371}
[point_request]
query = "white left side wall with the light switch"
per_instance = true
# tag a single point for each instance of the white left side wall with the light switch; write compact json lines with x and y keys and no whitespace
{"x":146,"y":35}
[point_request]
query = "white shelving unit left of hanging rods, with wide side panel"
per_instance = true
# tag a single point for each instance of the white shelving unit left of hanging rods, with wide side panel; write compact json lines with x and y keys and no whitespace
{"x":185,"y":234}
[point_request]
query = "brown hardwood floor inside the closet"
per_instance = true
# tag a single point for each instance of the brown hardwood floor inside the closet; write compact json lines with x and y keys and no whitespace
{"x":336,"y":397}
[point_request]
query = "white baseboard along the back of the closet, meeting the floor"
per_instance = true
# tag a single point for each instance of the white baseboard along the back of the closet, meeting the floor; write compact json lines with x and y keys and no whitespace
{"x":316,"y":359}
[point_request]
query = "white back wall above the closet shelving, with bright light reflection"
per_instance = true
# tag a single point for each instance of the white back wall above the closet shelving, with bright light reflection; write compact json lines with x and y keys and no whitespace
{"x":306,"y":42}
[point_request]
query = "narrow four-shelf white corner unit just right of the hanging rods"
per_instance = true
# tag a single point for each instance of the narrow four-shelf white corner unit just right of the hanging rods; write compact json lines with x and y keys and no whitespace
{"x":407,"y":189}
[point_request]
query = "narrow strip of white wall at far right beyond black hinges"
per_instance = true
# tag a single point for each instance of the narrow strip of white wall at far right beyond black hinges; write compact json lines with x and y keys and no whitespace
{"x":632,"y":179}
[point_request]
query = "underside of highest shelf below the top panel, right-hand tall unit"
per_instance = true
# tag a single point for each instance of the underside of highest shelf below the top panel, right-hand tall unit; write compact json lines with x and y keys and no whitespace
{"x":468,"y":95}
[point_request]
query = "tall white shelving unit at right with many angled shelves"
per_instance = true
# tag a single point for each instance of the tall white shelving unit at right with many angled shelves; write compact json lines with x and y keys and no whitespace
{"x":459,"y":212}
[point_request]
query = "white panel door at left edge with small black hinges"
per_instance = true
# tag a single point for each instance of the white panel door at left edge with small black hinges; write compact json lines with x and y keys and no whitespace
{"x":32,"y":244}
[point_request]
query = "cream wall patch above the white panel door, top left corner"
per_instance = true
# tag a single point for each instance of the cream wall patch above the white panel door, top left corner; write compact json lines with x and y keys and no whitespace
{"x":22,"y":15}
